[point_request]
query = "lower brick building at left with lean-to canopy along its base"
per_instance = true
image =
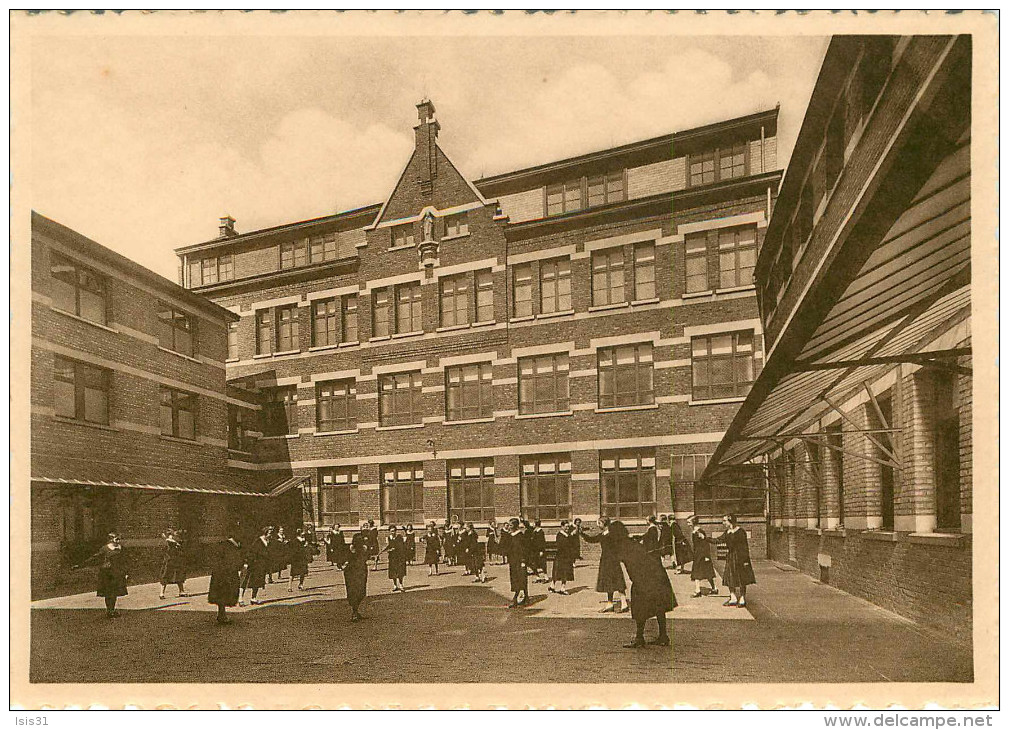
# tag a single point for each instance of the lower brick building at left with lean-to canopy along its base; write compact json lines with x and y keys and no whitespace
{"x":129,"y":413}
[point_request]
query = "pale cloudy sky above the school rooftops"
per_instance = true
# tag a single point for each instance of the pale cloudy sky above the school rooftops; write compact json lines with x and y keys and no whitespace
{"x":143,"y":143}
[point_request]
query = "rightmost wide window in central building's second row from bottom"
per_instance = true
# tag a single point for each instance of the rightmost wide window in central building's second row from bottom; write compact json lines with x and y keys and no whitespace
{"x":723,"y":365}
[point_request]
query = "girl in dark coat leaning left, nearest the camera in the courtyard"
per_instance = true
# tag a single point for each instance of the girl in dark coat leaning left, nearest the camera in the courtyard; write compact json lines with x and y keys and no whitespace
{"x":651,"y":592}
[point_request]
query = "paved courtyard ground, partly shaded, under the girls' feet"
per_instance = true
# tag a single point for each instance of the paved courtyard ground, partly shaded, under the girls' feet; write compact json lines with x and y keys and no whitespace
{"x":450,"y":630}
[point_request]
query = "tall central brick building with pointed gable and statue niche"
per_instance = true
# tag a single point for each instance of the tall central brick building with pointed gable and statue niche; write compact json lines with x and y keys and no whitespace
{"x":566,"y":341}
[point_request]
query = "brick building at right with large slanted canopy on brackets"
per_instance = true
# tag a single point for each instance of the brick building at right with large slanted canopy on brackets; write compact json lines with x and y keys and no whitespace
{"x":863,"y":413}
